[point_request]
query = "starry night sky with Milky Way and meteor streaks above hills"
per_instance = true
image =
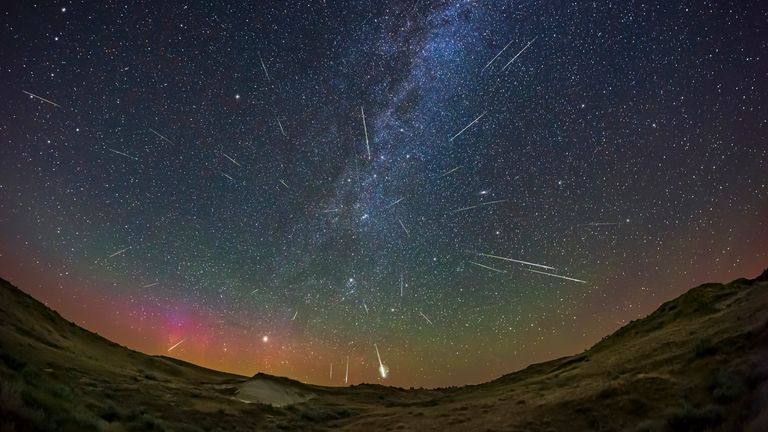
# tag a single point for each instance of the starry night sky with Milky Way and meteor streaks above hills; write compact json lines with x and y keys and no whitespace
{"x":290,"y":187}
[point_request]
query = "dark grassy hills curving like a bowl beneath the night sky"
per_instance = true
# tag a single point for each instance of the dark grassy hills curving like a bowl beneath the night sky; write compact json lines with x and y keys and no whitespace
{"x":697,"y":363}
